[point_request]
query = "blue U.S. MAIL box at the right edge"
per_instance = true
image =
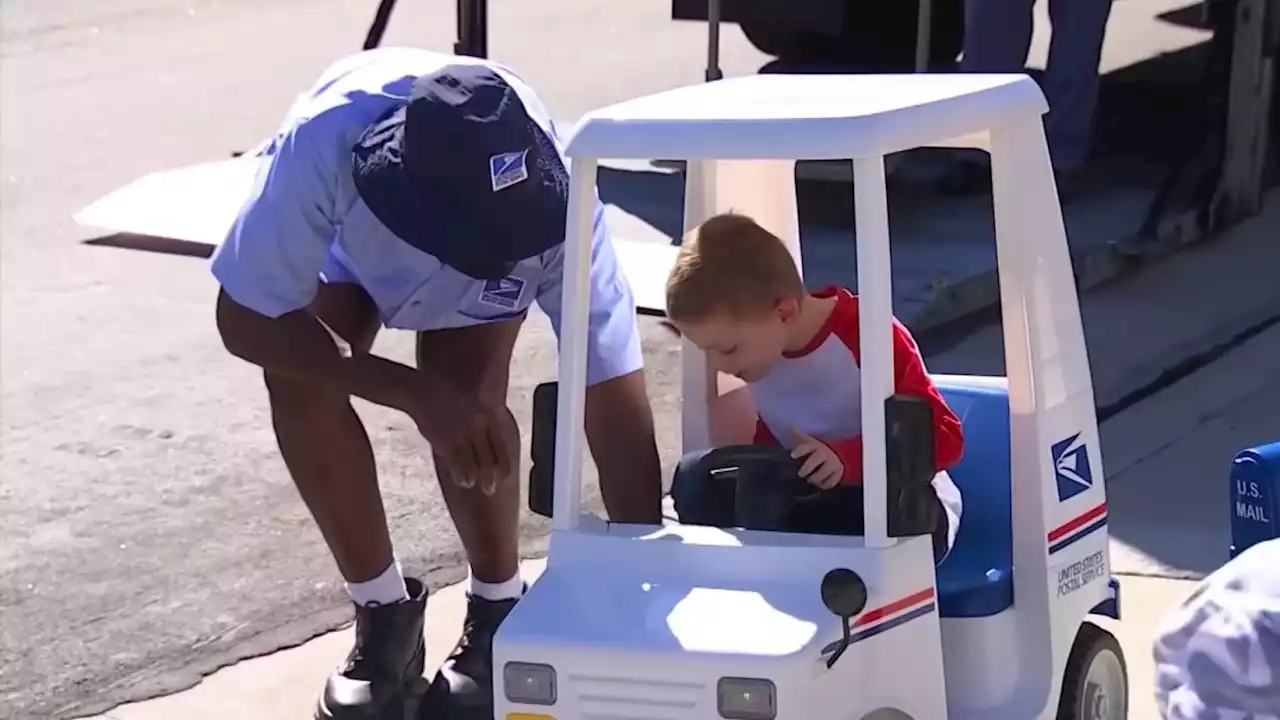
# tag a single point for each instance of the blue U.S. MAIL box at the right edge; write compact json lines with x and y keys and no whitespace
{"x":1255,"y":496}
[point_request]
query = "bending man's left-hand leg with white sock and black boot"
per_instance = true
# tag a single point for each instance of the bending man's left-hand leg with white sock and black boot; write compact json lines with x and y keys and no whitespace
{"x":327,"y":452}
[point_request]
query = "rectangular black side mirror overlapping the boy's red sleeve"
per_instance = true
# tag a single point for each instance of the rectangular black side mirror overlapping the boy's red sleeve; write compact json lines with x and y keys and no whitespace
{"x":913,"y":508}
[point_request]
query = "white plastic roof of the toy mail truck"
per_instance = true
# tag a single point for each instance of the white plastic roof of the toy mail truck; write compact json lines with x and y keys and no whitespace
{"x":804,"y":117}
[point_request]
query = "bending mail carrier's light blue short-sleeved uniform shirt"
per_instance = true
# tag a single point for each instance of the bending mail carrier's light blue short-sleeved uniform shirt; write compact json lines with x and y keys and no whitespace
{"x":305,"y":221}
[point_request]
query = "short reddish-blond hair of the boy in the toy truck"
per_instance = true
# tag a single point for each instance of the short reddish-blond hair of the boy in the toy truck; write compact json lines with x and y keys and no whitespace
{"x":730,"y":265}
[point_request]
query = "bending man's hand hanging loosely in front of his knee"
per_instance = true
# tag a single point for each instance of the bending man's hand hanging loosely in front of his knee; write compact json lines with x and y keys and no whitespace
{"x":479,"y":441}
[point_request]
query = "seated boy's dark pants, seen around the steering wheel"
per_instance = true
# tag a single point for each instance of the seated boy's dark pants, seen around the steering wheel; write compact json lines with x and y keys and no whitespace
{"x":705,"y":500}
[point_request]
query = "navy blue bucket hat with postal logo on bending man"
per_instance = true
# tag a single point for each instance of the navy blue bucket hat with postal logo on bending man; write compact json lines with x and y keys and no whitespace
{"x":463,"y":172}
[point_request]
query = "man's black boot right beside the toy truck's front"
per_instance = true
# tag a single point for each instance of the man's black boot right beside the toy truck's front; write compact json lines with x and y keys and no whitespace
{"x":464,"y":687}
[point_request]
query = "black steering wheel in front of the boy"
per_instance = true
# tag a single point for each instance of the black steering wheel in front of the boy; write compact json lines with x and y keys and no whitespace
{"x":769,"y":482}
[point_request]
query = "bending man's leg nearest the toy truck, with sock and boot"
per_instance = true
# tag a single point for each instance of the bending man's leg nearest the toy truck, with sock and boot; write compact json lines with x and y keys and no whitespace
{"x":478,"y":361}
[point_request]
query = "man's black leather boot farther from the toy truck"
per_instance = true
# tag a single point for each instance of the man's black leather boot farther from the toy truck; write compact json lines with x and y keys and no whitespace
{"x":376,"y":681}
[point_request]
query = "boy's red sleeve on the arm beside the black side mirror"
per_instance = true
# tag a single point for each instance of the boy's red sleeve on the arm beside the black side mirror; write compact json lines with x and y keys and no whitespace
{"x":909,"y":379}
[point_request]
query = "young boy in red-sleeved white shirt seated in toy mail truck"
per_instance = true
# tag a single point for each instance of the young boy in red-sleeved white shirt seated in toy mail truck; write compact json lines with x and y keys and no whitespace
{"x":737,"y":294}
